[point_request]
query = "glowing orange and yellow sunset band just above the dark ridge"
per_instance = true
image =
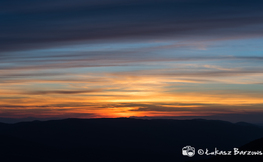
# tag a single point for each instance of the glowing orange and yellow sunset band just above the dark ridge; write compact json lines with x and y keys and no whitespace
{"x":120,"y":96}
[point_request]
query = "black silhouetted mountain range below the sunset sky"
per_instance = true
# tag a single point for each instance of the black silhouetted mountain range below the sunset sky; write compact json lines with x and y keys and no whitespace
{"x":120,"y":140}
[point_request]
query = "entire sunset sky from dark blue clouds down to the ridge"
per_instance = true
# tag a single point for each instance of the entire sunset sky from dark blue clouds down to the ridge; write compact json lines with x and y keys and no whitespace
{"x":132,"y":58}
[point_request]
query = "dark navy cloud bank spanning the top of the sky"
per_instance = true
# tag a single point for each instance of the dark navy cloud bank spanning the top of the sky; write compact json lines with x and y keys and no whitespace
{"x":34,"y":24}
